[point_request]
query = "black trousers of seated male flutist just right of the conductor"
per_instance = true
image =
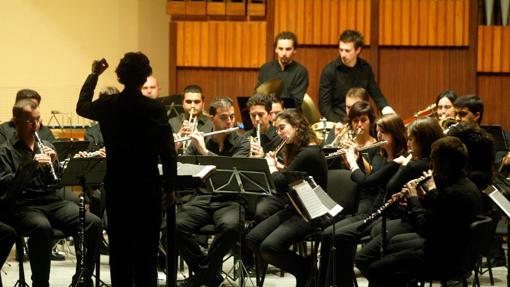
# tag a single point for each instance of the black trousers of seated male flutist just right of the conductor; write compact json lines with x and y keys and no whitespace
{"x":221,"y":211}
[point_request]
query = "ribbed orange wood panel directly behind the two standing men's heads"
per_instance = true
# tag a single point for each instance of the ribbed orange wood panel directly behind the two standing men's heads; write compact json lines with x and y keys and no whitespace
{"x":320,"y":22}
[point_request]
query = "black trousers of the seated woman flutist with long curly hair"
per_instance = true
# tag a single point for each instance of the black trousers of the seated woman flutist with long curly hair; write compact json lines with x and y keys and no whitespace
{"x":273,"y":237}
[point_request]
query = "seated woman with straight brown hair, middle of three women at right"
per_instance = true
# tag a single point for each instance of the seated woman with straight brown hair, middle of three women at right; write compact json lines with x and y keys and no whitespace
{"x":390,"y":128}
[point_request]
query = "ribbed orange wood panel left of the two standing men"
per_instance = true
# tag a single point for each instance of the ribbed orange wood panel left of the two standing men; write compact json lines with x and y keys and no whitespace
{"x":221,"y":44}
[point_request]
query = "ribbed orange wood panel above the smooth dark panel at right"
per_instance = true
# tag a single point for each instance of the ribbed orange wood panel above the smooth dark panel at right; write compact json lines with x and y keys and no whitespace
{"x":423,"y":22}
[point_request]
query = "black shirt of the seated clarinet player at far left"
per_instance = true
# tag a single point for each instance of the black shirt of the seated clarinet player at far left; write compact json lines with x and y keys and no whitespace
{"x":35,"y":190}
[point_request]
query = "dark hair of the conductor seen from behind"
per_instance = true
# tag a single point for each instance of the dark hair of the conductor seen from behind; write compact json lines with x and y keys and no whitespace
{"x":133,"y":69}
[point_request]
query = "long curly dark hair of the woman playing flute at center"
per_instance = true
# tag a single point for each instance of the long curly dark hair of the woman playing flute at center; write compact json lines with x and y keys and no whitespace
{"x":304,"y":133}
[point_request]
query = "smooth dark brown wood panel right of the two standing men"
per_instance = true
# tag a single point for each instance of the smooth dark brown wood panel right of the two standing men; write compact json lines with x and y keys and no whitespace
{"x":411,"y":78}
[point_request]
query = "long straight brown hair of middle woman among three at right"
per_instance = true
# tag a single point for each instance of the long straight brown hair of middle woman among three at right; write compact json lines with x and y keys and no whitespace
{"x":394,"y":125}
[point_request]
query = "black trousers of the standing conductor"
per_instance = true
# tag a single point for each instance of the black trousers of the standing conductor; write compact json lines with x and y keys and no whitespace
{"x":134,"y":221}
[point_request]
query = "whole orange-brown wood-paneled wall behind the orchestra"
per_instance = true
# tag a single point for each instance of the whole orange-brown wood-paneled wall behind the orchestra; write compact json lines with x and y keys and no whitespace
{"x":421,"y":48}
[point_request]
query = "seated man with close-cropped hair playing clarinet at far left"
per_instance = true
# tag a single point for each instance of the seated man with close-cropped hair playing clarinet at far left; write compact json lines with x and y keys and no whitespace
{"x":36,"y":207}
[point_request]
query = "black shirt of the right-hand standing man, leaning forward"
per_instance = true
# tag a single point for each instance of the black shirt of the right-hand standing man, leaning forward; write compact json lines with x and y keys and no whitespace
{"x":337,"y":79}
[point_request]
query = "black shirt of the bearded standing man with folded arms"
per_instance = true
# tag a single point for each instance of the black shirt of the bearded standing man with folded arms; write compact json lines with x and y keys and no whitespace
{"x":294,"y":77}
